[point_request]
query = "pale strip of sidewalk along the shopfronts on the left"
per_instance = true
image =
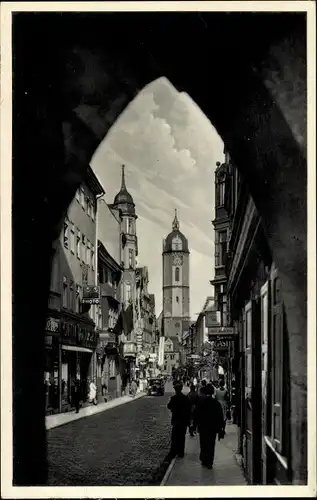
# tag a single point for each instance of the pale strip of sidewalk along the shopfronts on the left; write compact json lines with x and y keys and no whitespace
{"x":52,"y":421}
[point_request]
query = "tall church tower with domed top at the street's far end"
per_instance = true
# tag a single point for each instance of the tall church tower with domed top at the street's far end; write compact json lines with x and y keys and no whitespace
{"x":176,"y":310}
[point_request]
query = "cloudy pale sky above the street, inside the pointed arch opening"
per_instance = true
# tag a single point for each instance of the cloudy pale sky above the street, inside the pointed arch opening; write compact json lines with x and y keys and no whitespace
{"x":170,"y":150}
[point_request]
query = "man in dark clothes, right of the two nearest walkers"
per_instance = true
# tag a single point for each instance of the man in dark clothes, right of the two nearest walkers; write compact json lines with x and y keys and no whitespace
{"x":210,"y":424}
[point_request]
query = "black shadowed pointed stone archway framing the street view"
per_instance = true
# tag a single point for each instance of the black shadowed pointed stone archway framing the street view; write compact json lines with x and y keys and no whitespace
{"x":66,"y":97}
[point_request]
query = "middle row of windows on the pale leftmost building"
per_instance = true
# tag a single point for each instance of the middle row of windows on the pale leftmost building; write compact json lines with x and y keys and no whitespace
{"x":77,"y":243}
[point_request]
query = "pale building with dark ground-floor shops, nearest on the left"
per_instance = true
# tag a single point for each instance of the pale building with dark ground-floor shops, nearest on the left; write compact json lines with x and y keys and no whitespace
{"x":71,"y":335}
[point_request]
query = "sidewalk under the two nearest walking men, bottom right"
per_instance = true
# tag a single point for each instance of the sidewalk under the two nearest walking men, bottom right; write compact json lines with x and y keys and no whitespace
{"x":188,"y":471}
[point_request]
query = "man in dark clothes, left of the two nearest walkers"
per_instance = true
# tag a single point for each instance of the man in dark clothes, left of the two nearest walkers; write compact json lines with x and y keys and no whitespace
{"x":181,"y":409}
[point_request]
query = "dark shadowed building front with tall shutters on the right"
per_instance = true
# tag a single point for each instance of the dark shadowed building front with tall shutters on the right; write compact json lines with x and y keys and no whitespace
{"x":261,"y":358}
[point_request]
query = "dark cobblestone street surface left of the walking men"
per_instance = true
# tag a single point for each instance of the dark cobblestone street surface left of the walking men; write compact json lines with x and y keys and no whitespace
{"x":126,"y":445}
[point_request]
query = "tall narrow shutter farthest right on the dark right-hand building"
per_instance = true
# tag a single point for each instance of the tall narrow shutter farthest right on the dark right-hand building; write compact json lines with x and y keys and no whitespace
{"x":277,"y":360}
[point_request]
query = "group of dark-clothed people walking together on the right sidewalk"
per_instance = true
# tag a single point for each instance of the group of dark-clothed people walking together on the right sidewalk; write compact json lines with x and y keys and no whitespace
{"x":203,"y":410}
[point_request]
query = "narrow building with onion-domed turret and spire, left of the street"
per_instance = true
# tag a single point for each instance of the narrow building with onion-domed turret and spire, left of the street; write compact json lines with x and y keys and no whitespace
{"x":124,"y":204}
